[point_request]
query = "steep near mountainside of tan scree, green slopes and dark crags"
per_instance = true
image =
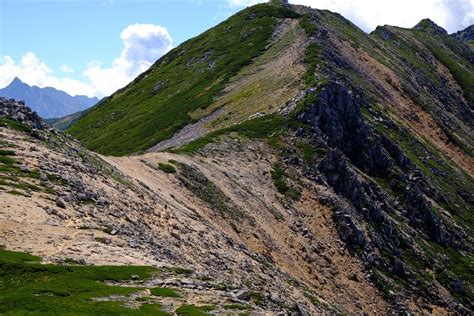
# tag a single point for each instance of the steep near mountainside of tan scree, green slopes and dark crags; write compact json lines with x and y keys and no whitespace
{"x":310,"y":167}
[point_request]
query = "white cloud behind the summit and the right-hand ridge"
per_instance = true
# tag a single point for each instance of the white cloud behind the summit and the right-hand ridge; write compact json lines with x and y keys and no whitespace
{"x":453,"y":15}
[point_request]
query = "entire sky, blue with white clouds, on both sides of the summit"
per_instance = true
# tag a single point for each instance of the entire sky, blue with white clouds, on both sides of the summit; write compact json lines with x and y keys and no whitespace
{"x":94,"y":47}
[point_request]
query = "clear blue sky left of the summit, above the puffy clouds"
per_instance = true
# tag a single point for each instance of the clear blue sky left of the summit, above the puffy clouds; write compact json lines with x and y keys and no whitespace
{"x":76,"y":32}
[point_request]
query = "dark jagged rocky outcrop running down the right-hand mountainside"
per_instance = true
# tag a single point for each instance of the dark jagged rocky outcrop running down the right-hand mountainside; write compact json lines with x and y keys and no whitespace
{"x":357,"y":154}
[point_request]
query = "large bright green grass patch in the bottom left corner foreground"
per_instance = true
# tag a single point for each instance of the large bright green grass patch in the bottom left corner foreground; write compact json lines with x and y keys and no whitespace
{"x":29,"y":287}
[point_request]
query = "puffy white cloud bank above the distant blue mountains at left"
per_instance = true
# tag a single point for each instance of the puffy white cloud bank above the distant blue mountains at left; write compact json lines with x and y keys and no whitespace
{"x":143,"y":45}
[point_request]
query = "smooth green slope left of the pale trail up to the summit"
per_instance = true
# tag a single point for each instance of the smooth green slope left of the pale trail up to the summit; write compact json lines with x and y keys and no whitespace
{"x":188,"y":78}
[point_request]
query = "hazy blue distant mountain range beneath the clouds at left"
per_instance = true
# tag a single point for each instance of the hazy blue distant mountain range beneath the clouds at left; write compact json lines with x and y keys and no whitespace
{"x":47,"y":102}
